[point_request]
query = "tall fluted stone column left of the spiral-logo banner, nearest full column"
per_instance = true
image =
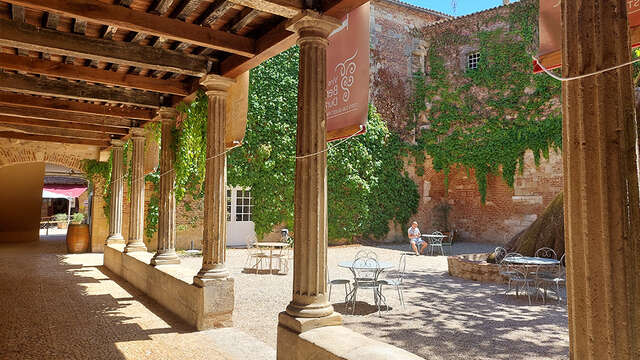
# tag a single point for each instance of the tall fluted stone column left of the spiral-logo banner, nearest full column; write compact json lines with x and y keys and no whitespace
{"x":310,"y":210}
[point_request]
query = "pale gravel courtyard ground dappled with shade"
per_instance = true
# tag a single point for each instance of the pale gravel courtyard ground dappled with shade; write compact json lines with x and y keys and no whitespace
{"x":445,"y":317}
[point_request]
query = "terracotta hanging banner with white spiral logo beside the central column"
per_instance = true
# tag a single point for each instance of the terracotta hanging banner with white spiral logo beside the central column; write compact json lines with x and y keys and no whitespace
{"x":348,"y":76}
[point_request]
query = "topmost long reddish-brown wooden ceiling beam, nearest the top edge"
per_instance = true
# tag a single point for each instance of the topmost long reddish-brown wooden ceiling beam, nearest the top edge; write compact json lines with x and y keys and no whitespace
{"x":102,"y":13}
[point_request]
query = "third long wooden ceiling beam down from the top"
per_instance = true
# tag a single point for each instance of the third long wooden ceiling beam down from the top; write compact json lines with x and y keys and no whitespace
{"x":67,"y":71}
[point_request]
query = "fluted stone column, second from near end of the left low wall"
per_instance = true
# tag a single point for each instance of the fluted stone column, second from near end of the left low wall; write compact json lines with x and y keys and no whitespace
{"x":166,"y":253}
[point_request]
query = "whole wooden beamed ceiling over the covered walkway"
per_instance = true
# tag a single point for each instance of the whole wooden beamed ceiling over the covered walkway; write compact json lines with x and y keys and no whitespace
{"x":86,"y":71}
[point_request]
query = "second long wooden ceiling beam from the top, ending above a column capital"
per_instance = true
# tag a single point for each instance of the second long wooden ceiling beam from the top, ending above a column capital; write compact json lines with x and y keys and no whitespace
{"x":29,"y":37}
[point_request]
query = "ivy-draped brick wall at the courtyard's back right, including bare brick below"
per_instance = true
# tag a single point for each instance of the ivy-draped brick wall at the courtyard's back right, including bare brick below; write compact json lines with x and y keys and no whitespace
{"x":486,"y":141}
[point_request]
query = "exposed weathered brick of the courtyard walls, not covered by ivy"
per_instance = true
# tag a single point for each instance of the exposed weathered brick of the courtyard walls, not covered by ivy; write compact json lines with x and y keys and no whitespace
{"x":395,"y":55}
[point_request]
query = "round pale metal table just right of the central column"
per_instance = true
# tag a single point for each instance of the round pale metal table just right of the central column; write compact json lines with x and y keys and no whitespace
{"x":374,"y":267}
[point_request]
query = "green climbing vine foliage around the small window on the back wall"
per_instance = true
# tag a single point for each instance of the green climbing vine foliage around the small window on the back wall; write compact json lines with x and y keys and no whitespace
{"x":485,"y":119}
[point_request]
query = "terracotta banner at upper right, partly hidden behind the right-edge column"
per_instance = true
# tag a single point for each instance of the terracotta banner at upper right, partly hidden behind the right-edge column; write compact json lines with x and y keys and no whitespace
{"x":550,"y":23}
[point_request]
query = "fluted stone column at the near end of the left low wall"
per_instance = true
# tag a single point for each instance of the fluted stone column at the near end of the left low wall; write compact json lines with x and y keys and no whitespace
{"x":214,"y":236}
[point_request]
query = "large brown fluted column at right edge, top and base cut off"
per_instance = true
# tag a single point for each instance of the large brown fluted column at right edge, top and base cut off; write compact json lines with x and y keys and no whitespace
{"x":601,"y":207}
